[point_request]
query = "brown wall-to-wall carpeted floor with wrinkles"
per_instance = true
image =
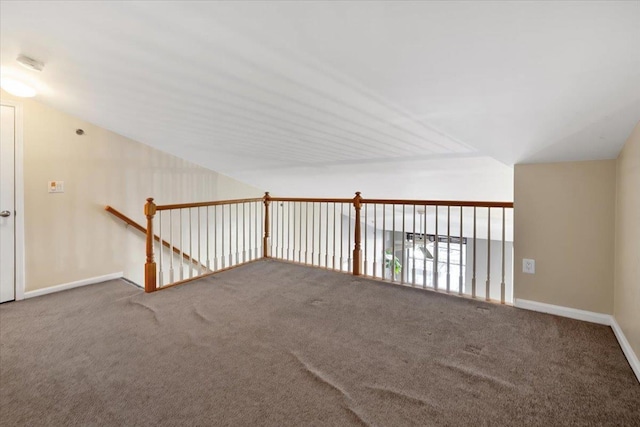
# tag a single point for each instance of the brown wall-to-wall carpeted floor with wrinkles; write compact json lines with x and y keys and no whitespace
{"x":277,"y":344}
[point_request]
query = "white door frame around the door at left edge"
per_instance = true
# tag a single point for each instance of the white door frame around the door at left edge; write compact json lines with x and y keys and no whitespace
{"x":18,"y":182}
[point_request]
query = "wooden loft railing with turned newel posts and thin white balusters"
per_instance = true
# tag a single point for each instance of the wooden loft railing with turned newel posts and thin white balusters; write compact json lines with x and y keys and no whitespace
{"x":420,"y":243}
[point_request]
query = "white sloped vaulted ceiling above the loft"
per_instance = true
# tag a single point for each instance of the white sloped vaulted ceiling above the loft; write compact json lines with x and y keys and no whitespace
{"x":400,"y":99}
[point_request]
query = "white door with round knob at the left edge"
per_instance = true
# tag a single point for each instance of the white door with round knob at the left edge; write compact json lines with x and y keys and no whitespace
{"x":7,"y":204}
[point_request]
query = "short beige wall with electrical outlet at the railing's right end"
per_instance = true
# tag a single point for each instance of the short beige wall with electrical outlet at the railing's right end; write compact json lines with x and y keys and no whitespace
{"x":564,"y":218}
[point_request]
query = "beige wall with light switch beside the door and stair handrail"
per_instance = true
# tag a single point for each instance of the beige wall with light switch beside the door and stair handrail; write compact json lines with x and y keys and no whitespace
{"x":69,"y":236}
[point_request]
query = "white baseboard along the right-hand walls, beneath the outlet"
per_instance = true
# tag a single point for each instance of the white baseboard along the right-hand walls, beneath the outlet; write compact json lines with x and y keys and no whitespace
{"x":587,"y":316}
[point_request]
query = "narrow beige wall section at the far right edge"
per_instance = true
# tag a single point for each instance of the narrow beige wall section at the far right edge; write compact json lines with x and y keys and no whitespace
{"x":627,"y":267}
